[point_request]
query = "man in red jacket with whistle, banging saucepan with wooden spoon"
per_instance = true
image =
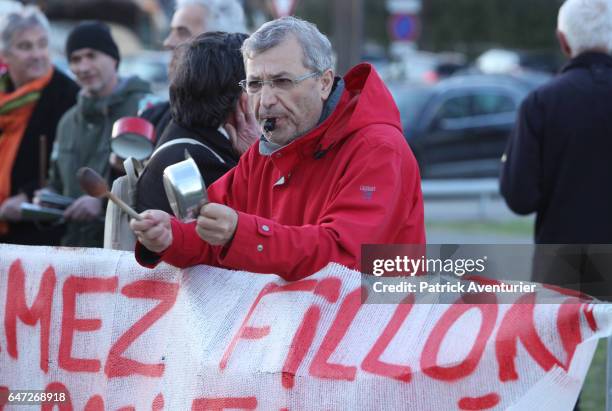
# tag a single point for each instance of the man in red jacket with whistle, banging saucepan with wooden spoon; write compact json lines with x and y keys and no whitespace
{"x":331,"y":172}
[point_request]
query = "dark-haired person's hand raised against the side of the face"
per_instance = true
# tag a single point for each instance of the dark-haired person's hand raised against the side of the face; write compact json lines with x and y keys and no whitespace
{"x":242,"y":126}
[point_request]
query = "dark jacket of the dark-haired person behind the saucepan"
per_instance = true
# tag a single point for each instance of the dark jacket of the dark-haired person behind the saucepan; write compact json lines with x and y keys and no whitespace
{"x":150,"y":188}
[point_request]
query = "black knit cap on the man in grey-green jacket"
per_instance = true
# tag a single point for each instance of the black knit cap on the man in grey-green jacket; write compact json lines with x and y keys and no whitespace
{"x":93,"y":35}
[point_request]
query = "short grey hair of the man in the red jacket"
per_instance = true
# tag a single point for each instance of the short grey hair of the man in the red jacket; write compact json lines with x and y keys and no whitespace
{"x":318,"y":54}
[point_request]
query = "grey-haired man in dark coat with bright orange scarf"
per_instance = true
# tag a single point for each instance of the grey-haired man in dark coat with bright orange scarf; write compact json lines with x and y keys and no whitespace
{"x":33,"y":97}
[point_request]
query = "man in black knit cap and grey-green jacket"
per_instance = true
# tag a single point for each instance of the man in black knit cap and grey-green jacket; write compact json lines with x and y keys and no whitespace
{"x":84,"y":132}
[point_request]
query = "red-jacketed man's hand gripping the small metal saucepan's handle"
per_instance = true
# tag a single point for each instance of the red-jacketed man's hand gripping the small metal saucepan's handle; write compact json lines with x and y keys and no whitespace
{"x":217,"y":223}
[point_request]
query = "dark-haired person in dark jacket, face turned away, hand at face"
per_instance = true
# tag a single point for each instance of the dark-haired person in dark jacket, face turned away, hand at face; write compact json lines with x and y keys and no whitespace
{"x":204,"y":94}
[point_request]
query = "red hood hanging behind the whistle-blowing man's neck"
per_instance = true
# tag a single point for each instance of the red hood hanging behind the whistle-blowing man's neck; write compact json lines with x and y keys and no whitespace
{"x":365,"y":101}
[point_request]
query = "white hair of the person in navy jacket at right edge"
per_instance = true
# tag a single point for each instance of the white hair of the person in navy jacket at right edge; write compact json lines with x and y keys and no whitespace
{"x":587,"y":25}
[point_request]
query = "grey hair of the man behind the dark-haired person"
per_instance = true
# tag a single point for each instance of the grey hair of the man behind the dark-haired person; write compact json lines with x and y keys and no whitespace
{"x":222,"y":15}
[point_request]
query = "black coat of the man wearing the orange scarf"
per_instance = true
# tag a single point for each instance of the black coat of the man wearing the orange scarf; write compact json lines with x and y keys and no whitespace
{"x":56,"y":98}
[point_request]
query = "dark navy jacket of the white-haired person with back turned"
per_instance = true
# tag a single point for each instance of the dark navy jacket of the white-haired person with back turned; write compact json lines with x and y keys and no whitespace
{"x":557,"y":162}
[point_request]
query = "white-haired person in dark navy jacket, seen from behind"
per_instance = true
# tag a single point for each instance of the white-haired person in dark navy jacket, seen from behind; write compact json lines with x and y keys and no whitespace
{"x":557,"y":163}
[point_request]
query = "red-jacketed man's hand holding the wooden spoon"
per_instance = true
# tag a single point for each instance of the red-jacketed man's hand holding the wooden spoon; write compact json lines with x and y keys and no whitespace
{"x":154,"y":230}
